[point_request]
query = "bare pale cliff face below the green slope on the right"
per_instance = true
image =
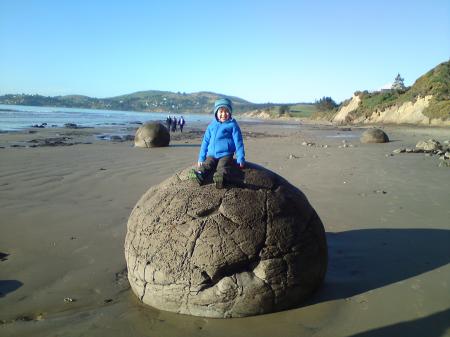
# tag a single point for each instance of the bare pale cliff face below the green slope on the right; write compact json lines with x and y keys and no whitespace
{"x":407,"y":113}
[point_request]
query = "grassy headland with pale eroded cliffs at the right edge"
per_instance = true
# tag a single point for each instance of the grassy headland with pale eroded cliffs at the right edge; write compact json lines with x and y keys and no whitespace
{"x":427,"y":101}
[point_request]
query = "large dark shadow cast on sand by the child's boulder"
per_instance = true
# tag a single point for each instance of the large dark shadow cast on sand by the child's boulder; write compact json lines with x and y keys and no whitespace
{"x":366,"y":259}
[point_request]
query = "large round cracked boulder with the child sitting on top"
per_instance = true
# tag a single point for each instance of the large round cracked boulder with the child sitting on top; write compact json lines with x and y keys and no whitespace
{"x":233,"y":252}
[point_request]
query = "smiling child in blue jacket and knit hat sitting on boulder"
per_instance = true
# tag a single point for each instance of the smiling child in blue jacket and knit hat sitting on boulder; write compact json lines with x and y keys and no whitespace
{"x":222,"y":139}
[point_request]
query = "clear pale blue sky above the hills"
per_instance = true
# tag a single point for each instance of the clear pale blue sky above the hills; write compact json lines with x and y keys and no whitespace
{"x":263,"y":51}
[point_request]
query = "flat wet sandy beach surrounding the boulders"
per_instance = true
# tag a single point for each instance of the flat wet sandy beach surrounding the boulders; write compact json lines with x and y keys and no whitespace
{"x":64,"y":209}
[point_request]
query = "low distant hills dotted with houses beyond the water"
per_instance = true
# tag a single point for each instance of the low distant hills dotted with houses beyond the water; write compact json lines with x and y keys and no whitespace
{"x":152,"y":101}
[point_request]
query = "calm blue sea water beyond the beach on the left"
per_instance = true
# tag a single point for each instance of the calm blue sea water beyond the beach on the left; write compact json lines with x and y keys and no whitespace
{"x":18,"y":117}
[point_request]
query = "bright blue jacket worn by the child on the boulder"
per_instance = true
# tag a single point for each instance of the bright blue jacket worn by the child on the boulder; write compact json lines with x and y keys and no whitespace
{"x":222,"y":139}
